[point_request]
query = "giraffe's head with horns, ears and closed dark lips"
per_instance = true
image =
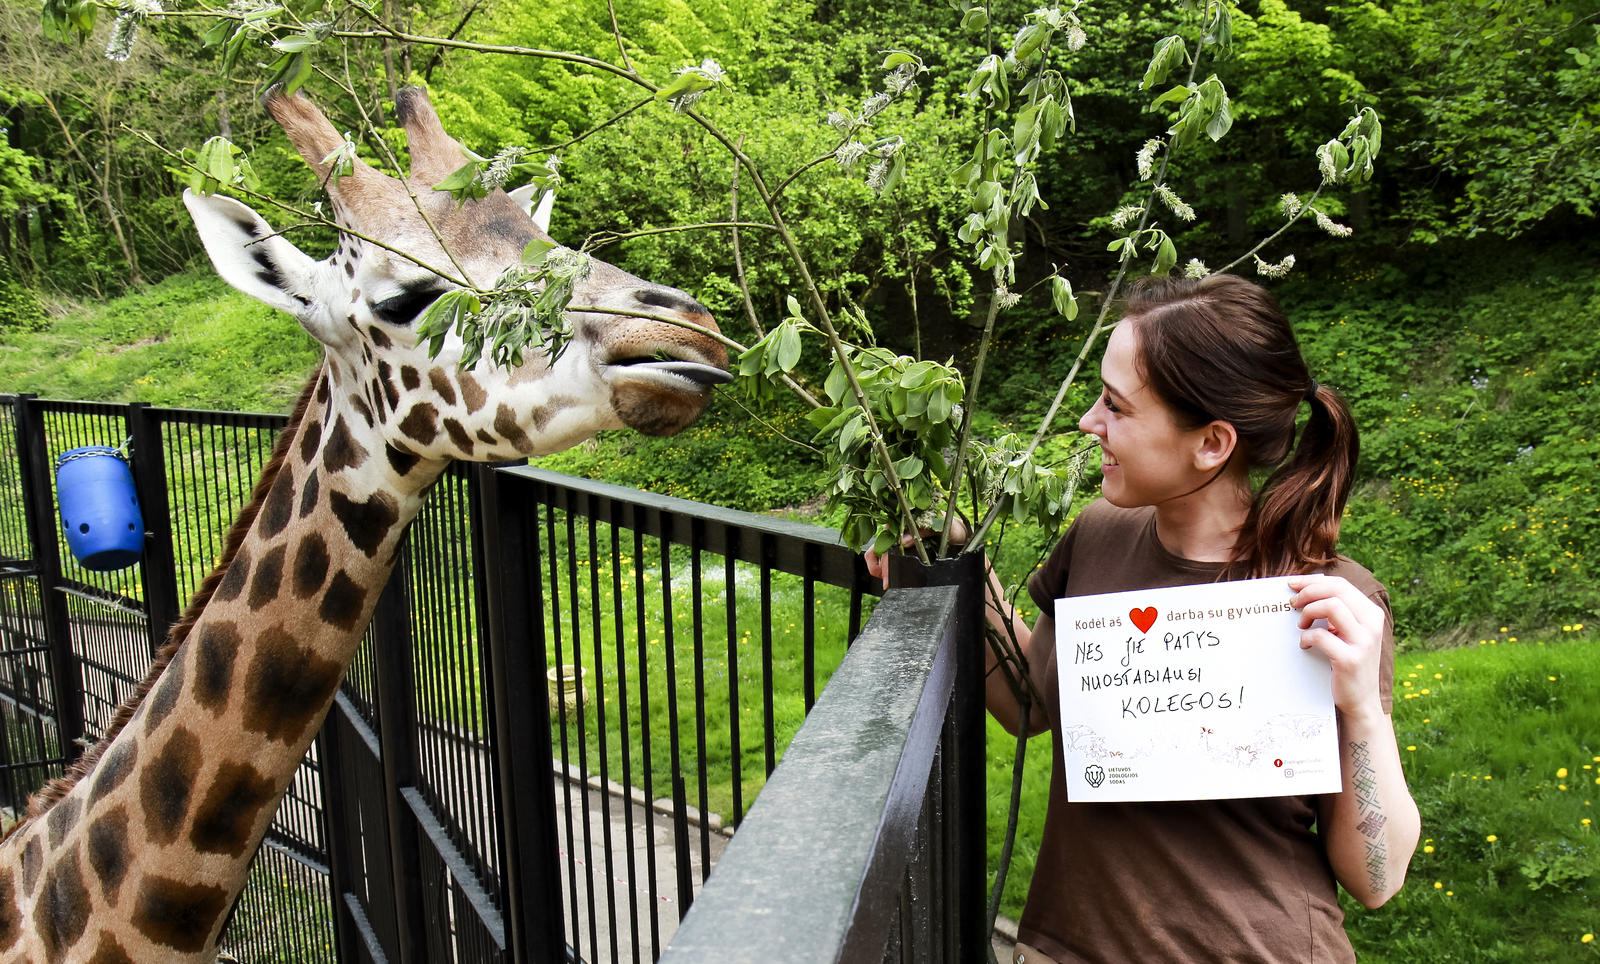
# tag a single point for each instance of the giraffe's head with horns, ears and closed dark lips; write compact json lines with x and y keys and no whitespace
{"x":362,"y":305}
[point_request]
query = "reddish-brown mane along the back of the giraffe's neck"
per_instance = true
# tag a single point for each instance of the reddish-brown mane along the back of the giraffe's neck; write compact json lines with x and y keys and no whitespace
{"x":60,"y":787}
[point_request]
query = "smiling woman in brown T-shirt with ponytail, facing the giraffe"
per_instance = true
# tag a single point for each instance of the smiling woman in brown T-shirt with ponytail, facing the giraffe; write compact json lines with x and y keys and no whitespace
{"x":1202,"y":387}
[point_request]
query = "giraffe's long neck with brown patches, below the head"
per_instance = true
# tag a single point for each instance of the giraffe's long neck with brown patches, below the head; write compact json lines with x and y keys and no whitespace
{"x":153,"y":846}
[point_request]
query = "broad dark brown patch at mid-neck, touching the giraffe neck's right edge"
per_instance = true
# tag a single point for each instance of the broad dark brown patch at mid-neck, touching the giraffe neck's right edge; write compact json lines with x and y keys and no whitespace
{"x":287,"y":688}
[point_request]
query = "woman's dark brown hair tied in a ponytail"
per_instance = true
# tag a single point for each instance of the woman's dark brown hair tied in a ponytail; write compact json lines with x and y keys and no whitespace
{"x":1220,"y":350}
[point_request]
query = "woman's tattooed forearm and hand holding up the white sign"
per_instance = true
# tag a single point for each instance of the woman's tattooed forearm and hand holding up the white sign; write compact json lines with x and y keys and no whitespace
{"x":1372,"y":827}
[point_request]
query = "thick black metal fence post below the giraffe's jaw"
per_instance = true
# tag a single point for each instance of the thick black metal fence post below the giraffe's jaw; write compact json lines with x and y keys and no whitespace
{"x":510,"y":537}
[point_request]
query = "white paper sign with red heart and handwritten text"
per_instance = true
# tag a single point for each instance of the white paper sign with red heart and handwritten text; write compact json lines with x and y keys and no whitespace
{"x":1194,"y":693}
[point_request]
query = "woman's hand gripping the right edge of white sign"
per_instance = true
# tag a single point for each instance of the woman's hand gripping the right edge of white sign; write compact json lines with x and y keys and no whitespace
{"x":1348,"y":629}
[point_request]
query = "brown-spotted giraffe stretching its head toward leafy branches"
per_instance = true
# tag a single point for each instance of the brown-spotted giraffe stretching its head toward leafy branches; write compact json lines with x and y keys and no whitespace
{"x":142,"y":851}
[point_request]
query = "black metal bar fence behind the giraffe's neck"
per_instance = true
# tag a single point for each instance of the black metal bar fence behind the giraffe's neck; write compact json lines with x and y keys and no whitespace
{"x":449,"y":811}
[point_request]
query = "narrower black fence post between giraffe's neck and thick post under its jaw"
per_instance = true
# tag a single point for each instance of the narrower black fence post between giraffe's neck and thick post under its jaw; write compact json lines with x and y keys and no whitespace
{"x":398,"y":734}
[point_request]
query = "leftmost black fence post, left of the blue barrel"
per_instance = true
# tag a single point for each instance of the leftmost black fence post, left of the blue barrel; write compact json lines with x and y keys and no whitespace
{"x":38,"y":494}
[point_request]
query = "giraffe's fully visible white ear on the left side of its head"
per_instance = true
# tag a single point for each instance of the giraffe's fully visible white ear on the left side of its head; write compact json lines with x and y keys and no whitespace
{"x":249,"y":255}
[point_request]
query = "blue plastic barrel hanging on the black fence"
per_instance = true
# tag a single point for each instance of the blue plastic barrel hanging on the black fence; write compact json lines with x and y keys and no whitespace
{"x":100,"y":512}
